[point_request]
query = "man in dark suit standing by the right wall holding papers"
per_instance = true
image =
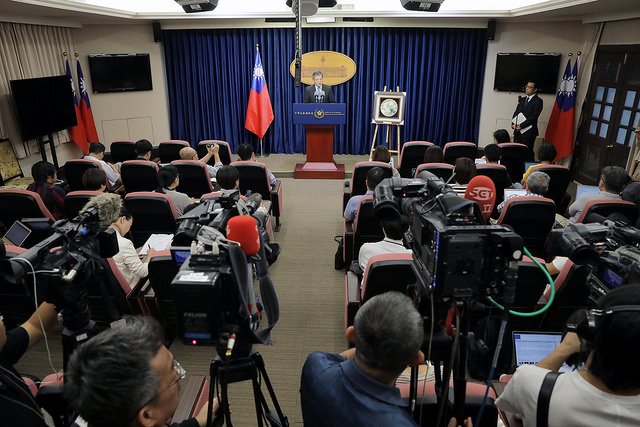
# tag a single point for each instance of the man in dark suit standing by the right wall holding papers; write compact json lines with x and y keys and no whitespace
{"x":530,"y":106}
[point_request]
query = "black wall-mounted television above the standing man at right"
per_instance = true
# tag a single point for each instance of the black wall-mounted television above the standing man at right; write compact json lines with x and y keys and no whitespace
{"x":514,"y":69}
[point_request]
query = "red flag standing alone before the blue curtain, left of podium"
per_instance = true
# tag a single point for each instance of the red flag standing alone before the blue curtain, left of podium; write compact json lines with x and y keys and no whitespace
{"x":259,"y":110}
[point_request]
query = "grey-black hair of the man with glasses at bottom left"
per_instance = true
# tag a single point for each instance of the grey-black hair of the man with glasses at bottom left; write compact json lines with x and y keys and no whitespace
{"x":109,"y":378}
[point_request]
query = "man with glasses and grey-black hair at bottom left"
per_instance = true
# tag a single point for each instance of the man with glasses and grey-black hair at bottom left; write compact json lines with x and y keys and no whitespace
{"x":125,"y":376}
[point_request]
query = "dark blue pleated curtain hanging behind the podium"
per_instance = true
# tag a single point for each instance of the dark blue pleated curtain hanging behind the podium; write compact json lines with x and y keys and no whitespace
{"x":441,"y":70}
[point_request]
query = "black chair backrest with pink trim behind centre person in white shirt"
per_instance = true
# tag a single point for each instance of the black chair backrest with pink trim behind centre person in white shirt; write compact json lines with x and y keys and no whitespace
{"x":387,"y":272}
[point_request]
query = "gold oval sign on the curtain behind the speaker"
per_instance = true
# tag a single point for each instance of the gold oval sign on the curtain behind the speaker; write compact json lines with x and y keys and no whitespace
{"x":336,"y":68}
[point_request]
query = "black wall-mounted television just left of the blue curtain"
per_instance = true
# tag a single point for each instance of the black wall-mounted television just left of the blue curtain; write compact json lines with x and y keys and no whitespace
{"x":120,"y":72}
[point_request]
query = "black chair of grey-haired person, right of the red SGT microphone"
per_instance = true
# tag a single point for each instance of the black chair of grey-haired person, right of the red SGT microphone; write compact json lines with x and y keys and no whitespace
{"x":532,"y":218}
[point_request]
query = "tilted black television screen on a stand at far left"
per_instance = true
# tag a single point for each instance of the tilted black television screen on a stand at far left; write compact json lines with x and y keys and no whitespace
{"x":44,"y":105}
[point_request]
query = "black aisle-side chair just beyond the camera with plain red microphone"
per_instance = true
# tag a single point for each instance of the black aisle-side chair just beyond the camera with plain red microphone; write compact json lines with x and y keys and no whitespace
{"x":254,"y":178}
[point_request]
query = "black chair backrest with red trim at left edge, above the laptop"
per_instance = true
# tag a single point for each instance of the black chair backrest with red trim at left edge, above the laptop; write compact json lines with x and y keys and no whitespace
{"x":18,"y":204}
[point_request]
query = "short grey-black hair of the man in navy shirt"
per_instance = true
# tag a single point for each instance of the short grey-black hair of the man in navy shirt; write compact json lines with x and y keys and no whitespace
{"x":388,"y":332}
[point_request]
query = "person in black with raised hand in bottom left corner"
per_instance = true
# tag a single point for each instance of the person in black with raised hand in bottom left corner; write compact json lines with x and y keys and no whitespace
{"x":17,"y":405}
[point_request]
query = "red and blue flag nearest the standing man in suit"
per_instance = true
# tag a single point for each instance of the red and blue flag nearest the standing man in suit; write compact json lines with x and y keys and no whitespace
{"x":562,"y":122}
